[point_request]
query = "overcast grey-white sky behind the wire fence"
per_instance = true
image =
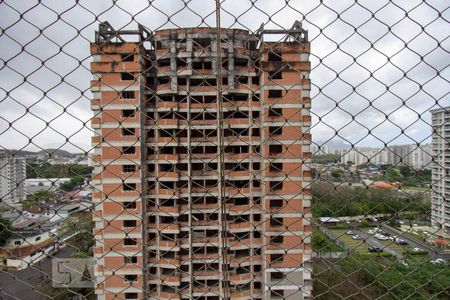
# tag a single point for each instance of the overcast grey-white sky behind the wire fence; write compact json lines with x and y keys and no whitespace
{"x":378,"y":66}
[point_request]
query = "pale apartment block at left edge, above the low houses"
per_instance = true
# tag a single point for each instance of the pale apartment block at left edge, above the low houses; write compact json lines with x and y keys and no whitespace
{"x":12,"y":178}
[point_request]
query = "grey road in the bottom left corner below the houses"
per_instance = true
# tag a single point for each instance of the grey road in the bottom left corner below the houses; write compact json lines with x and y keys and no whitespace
{"x":21,"y":284}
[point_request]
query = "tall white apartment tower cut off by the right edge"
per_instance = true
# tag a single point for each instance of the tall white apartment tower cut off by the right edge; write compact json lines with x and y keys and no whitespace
{"x":440,"y":197}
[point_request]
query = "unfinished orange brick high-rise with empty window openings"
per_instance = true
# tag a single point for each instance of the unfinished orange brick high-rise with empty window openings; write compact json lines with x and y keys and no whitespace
{"x":198,"y":198}
